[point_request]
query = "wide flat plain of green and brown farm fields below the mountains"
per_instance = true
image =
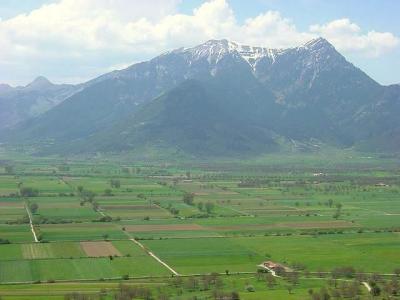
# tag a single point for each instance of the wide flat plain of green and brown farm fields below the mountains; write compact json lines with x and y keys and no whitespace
{"x":100,"y":222}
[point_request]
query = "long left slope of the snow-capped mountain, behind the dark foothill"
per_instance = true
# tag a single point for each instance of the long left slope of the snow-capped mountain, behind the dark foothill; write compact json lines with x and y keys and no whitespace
{"x":113,"y":96}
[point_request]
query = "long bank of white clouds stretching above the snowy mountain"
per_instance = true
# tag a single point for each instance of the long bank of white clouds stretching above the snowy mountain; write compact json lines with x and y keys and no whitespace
{"x":74,"y":38}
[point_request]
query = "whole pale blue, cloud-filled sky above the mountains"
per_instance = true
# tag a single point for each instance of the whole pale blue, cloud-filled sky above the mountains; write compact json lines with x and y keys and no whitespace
{"x":72,"y":41}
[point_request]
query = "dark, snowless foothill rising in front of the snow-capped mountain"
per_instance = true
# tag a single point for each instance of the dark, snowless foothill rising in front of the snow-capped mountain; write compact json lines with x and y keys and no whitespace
{"x":191,"y":118}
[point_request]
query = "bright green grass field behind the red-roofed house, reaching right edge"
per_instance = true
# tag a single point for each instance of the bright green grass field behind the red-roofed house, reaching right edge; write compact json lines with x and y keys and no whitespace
{"x":366,"y":252}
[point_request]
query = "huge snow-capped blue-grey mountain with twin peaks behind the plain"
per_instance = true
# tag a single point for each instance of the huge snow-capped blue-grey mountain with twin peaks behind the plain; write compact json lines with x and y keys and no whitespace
{"x":222,"y":98}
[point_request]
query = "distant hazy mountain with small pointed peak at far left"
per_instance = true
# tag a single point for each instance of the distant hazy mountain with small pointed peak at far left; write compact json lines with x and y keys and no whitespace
{"x":22,"y":103}
